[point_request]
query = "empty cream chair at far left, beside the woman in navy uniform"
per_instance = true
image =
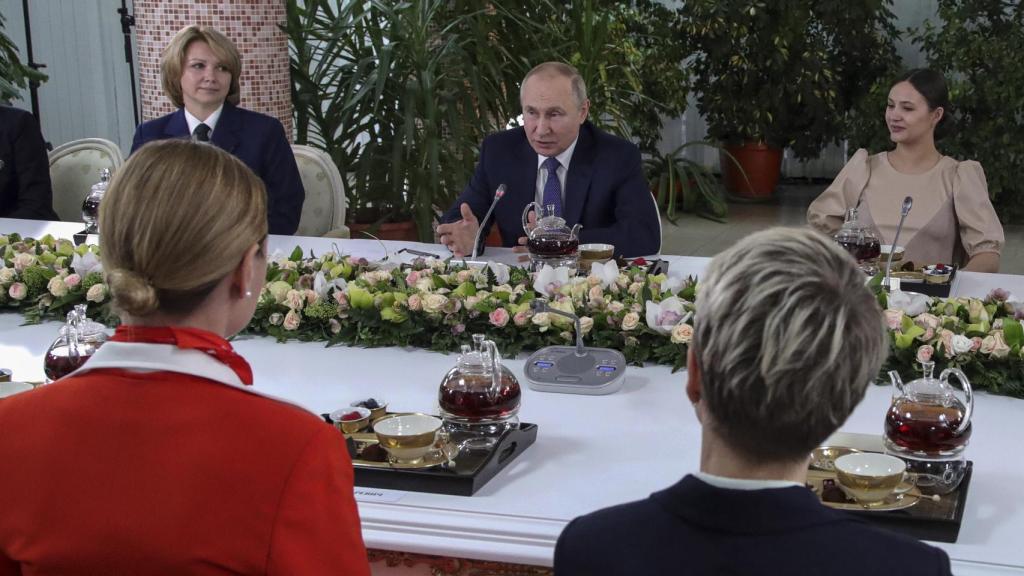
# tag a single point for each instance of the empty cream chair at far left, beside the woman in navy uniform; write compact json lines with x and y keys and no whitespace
{"x":75,"y":167}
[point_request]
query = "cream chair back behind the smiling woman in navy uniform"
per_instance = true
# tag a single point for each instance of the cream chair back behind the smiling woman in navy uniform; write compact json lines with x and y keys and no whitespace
{"x":324,"y":210}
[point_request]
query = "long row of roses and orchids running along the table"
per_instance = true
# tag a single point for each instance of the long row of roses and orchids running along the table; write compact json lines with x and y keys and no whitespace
{"x":437,"y":305}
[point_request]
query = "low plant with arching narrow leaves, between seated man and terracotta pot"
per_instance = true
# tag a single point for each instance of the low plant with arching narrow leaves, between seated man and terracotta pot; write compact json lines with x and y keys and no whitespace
{"x":681,"y":184}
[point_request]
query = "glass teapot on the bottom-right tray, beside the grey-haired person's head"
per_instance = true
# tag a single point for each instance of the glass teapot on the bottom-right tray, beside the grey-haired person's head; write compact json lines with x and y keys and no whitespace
{"x":926,"y":420}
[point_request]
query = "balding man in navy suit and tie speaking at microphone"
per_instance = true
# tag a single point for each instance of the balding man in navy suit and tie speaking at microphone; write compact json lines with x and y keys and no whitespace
{"x":558,"y":158}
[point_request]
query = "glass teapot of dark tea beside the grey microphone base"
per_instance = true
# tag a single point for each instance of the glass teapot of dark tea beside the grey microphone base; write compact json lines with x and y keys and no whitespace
{"x":480,"y":391}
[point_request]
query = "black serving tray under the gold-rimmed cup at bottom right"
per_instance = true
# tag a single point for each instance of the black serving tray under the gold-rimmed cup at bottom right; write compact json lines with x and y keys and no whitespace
{"x":940,"y":522}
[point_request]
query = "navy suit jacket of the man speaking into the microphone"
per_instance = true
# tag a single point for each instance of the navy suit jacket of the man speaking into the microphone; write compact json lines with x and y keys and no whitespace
{"x":606,"y":190}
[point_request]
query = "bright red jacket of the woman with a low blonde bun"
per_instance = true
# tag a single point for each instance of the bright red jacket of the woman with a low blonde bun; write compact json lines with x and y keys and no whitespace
{"x":119,"y":472}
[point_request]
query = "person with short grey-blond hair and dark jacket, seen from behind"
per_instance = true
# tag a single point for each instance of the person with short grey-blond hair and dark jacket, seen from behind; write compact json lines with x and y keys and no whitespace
{"x":770,"y":381}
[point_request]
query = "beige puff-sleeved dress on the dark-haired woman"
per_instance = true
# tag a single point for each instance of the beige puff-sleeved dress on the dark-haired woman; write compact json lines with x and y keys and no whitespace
{"x":952,"y":220}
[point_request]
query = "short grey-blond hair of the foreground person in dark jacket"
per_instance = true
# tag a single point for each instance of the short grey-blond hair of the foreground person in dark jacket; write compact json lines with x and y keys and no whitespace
{"x":787,"y":339}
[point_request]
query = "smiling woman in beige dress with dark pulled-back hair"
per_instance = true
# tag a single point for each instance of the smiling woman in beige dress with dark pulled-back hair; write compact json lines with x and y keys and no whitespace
{"x":953,"y":220}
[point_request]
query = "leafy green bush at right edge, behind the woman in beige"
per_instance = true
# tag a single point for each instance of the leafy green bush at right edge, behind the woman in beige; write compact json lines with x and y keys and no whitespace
{"x":977,"y":45}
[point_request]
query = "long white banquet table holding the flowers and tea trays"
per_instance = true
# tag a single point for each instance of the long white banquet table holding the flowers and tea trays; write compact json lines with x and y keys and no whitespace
{"x":591,"y":451}
